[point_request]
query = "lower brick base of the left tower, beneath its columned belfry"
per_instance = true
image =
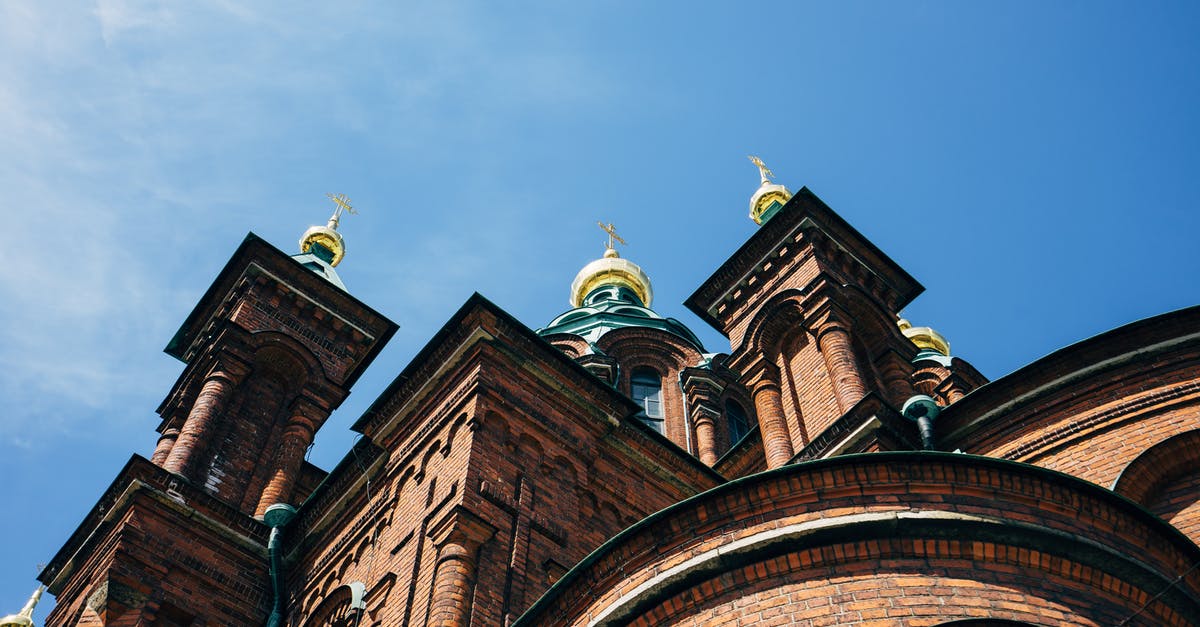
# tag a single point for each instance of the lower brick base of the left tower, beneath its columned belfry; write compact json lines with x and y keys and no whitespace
{"x":182,"y":554}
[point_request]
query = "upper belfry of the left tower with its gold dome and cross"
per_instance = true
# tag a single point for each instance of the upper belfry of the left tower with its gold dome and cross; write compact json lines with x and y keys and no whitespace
{"x":272,"y":349}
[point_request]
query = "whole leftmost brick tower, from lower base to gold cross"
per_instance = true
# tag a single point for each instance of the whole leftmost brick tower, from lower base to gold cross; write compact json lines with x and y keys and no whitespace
{"x":271,"y":350}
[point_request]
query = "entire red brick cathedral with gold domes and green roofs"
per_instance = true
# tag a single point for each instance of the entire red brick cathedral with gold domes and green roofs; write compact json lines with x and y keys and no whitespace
{"x":609,"y":470}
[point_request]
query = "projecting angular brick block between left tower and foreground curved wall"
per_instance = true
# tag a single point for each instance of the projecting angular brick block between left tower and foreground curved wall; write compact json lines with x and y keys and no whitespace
{"x":511,"y":435}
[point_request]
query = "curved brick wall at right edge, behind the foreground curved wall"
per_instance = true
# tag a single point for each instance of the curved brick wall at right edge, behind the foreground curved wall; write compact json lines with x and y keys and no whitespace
{"x":1090,"y":409}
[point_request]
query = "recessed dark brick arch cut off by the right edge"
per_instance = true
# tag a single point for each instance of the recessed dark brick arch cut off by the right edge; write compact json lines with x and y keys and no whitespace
{"x":1166,"y":480}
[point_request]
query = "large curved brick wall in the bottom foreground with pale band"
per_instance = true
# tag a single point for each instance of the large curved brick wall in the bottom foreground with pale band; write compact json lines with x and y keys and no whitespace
{"x":893,"y":539}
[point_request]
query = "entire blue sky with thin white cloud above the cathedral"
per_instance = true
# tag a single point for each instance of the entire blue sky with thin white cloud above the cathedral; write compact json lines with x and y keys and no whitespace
{"x":1034,"y":165}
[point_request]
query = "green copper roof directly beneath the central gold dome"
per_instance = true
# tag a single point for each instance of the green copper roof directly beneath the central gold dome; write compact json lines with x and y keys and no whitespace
{"x":611,"y":308}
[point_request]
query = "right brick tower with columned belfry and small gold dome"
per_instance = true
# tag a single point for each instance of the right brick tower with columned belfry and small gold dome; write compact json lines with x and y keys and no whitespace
{"x":811,"y":308}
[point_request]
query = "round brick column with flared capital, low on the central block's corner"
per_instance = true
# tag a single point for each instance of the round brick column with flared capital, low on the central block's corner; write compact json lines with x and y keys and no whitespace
{"x":458,"y":538}
